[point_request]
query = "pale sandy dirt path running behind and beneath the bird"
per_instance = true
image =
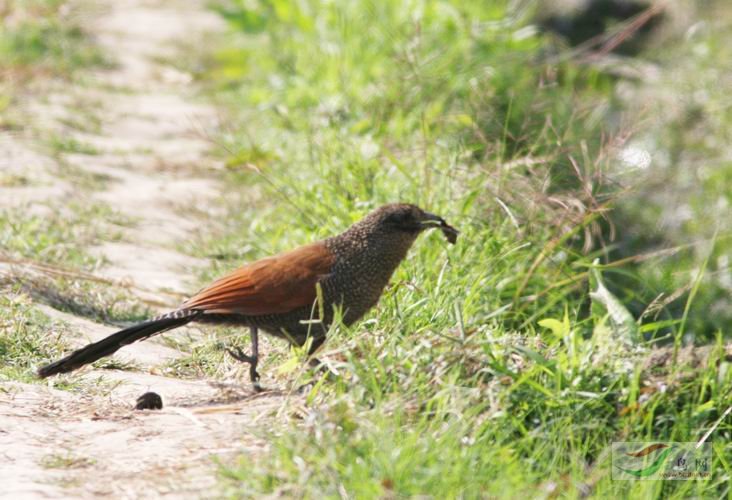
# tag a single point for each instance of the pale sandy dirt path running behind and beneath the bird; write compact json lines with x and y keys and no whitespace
{"x":154,"y":164}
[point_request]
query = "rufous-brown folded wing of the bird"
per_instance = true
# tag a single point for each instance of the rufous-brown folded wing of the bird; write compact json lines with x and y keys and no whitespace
{"x":274,"y":285}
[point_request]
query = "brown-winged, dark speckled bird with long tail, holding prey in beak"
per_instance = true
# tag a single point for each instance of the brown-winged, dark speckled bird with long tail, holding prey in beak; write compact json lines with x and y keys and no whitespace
{"x":293,"y":295}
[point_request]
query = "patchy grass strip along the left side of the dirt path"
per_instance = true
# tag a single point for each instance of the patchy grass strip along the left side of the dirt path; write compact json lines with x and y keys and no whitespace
{"x":42,"y":43}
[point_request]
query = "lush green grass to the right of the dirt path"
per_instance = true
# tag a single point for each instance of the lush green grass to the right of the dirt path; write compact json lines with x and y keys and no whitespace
{"x":488,"y":369}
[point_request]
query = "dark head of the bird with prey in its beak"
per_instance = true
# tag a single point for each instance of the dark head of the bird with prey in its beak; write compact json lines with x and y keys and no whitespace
{"x":408,"y":219}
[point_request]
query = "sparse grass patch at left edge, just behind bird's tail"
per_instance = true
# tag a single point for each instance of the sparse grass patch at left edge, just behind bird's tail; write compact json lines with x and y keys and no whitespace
{"x":54,"y":248}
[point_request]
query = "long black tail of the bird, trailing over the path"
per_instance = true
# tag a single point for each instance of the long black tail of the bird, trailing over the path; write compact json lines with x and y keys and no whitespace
{"x":114,"y":342}
